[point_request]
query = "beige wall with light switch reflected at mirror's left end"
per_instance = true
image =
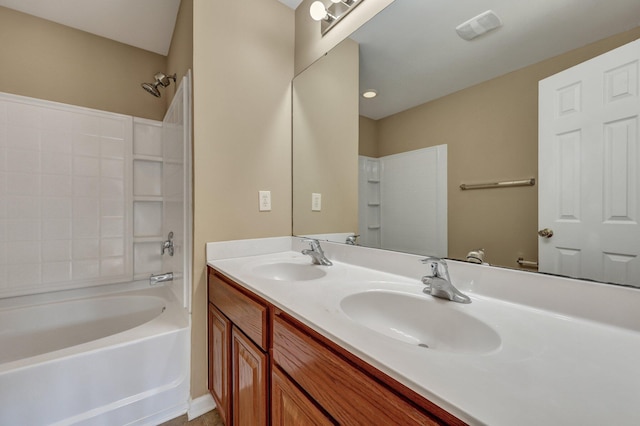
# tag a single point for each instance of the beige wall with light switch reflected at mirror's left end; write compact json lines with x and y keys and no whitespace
{"x":325,"y":156}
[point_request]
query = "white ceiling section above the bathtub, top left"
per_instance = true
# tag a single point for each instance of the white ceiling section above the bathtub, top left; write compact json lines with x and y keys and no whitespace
{"x":147,"y":24}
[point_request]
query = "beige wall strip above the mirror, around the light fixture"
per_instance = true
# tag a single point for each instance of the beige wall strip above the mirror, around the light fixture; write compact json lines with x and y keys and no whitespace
{"x":311,"y":44}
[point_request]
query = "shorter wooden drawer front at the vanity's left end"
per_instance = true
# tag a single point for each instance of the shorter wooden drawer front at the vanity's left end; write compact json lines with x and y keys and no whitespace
{"x":245,"y":312}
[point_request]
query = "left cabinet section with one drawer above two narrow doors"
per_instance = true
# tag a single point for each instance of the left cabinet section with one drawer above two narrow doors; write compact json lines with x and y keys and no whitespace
{"x":238,"y":358}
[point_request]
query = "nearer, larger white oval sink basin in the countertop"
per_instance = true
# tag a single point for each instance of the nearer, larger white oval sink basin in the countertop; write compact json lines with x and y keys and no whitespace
{"x":421,"y":321}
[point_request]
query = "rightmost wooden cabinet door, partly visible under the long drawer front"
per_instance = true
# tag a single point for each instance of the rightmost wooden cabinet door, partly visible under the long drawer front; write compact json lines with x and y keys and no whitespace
{"x":290,"y":406}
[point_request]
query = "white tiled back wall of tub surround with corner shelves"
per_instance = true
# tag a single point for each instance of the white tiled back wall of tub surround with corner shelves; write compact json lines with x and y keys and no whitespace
{"x":75,"y":196}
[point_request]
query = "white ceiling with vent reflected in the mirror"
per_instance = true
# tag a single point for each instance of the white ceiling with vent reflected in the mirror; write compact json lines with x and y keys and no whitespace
{"x":410,"y":52}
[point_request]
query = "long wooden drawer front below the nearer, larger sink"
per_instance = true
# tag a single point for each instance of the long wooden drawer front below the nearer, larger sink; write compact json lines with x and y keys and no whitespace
{"x":349,"y":395}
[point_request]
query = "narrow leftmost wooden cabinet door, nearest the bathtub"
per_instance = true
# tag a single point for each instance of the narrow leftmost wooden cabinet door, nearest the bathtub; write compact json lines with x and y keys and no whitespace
{"x":219,"y":361}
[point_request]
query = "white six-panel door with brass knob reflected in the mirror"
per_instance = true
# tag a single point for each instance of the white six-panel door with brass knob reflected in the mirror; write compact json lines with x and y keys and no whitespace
{"x":588,"y":158}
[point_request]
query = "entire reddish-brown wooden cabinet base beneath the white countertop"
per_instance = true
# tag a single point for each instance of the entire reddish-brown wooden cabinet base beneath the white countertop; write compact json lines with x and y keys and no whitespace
{"x":281,"y":372}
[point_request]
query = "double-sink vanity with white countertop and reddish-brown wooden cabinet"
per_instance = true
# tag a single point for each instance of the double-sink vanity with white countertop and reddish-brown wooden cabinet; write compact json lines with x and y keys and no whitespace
{"x":360,"y":342}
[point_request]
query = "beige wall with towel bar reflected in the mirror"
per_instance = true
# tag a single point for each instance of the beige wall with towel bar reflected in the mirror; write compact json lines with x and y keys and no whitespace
{"x":491,"y":130}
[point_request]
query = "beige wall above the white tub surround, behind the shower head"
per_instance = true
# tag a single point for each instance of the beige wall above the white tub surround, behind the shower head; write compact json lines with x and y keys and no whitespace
{"x":45,"y":60}
